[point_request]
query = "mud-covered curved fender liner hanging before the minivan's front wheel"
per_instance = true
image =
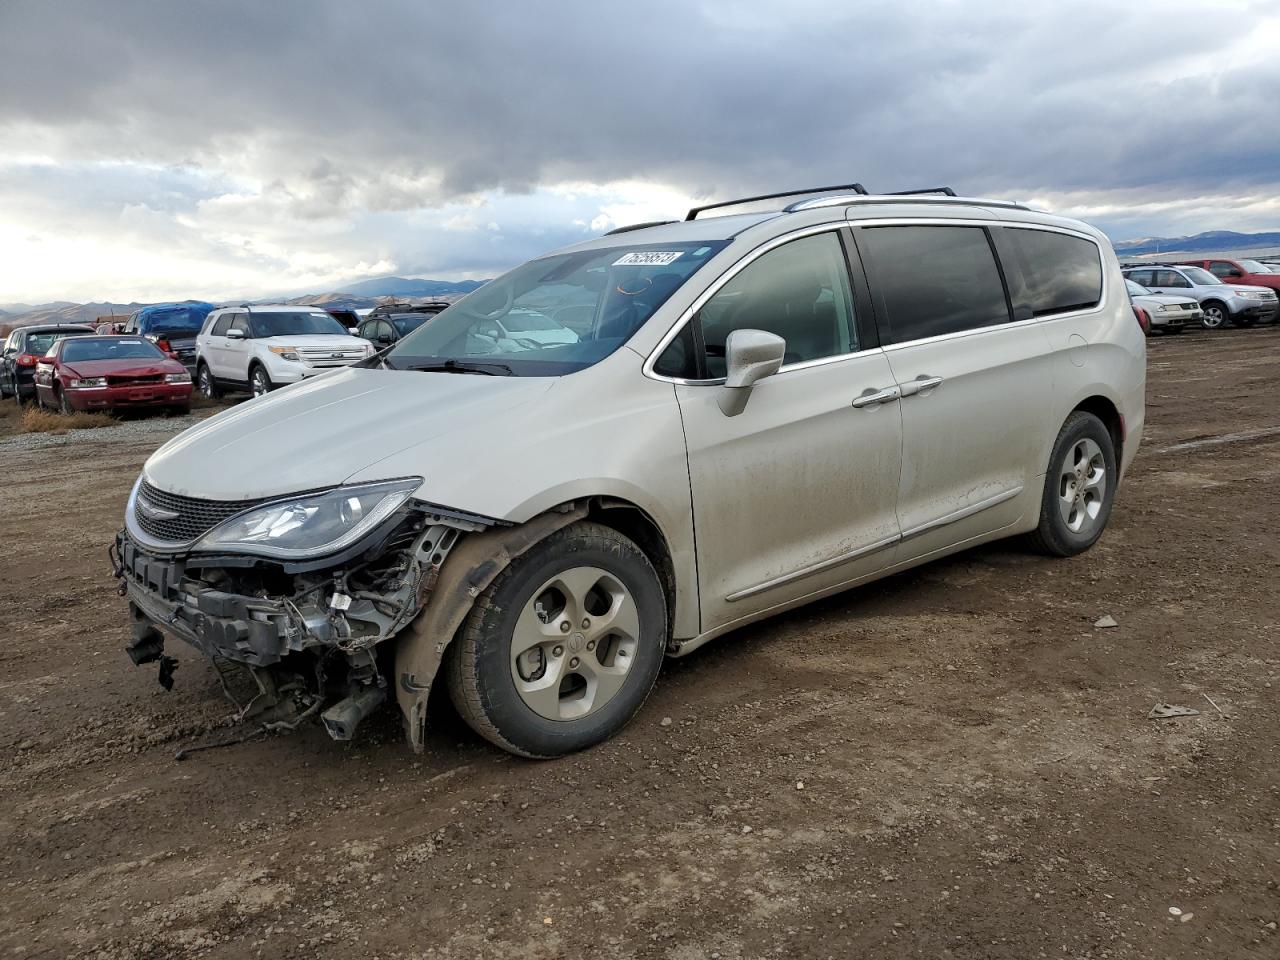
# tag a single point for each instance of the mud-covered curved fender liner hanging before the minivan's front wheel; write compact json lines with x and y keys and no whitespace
{"x":470,"y":569}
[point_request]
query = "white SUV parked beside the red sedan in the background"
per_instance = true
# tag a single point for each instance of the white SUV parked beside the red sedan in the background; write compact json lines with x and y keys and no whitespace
{"x":258,"y":349}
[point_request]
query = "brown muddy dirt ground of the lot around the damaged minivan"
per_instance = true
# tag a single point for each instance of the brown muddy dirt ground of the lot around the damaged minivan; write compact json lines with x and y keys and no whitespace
{"x":953,"y":764}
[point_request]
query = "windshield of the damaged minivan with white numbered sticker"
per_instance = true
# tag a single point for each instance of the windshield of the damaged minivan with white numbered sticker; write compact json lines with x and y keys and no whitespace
{"x":556,"y":316}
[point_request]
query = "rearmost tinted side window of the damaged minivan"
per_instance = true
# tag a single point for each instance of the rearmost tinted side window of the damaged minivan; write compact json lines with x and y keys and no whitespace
{"x":1060,"y":273}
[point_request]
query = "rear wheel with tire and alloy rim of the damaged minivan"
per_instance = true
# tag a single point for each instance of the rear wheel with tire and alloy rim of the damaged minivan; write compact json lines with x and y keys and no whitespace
{"x":1080,"y":488}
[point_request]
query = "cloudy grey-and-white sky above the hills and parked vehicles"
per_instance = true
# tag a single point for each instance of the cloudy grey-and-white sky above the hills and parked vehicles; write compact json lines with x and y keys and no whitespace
{"x":246,"y":148}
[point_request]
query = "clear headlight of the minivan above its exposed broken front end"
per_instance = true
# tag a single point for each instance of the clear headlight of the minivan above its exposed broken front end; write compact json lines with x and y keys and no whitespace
{"x":312,"y":525}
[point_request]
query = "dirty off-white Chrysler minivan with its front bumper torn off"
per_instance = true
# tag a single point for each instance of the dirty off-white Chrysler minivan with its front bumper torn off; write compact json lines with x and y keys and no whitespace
{"x":755,"y":412}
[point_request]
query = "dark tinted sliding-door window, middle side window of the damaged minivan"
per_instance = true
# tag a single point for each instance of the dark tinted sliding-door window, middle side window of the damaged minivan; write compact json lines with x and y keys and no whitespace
{"x":932,"y":281}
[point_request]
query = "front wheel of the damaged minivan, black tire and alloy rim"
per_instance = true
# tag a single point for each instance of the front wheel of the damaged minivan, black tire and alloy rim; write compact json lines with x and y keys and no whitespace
{"x":563,"y":650}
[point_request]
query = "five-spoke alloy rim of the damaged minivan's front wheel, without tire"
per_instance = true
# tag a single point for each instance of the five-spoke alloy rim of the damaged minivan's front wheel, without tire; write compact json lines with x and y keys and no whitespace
{"x":575,"y":643}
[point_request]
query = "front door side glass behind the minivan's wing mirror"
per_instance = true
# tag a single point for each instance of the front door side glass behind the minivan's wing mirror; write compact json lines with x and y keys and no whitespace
{"x":799,"y":291}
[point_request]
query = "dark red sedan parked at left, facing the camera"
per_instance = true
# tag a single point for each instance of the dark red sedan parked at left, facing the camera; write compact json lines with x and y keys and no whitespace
{"x":111,"y":373}
